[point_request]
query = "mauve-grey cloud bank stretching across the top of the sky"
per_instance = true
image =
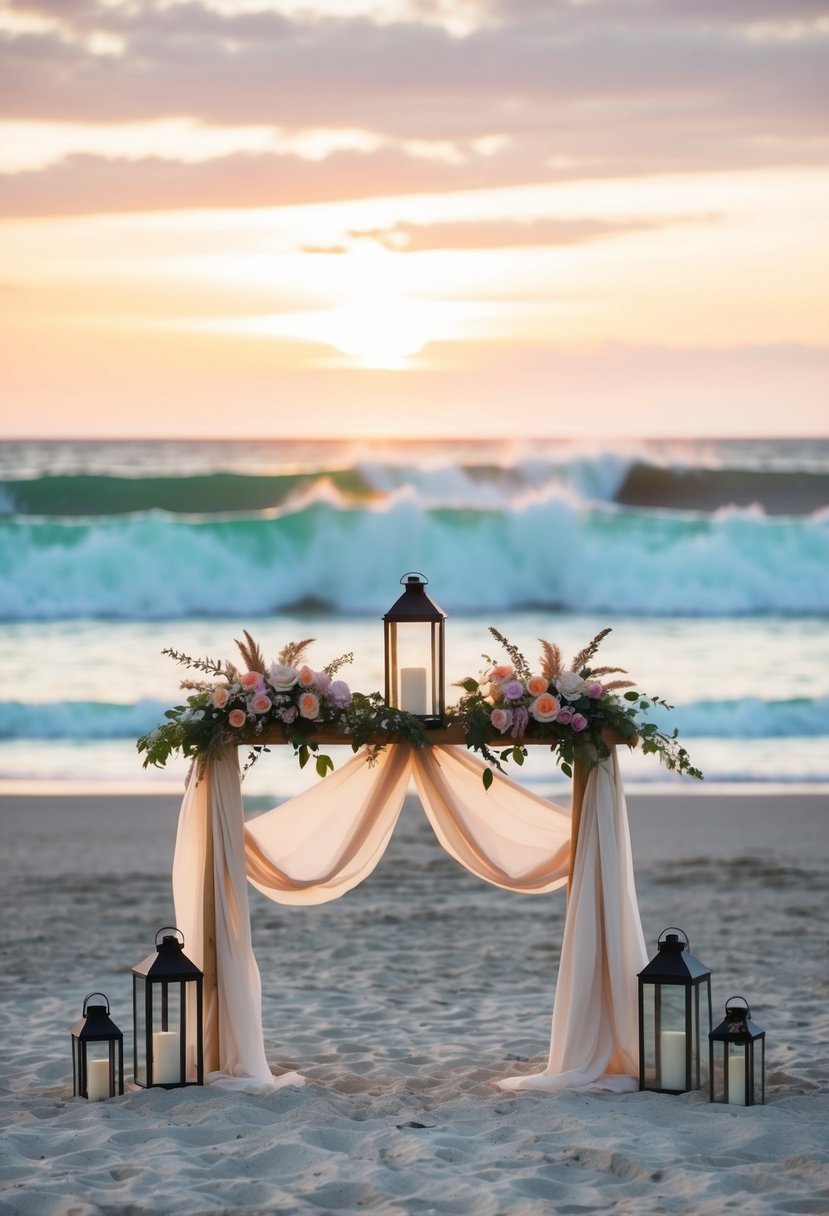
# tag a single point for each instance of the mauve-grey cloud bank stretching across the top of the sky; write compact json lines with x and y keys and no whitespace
{"x":611,"y":88}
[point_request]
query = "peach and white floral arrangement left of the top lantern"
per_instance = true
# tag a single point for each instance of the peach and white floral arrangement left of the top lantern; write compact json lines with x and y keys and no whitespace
{"x":236,"y":706}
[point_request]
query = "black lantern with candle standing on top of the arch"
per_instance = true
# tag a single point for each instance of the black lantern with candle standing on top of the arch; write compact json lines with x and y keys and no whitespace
{"x":416,"y":654}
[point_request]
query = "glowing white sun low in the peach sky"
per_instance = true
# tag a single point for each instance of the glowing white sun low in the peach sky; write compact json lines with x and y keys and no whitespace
{"x":381,"y":331}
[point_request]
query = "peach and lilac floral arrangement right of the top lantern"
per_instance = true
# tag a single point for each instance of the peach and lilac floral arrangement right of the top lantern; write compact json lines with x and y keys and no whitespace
{"x":572,"y":705}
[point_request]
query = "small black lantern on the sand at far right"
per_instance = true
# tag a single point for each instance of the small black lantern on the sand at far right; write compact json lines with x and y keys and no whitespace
{"x":737,"y":1059}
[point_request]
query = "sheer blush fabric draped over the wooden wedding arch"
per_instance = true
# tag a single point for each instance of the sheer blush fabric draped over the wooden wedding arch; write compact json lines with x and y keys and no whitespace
{"x":324,"y":843}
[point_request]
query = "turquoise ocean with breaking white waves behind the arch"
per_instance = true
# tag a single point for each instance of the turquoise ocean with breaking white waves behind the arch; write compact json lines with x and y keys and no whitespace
{"x":708,"y":560}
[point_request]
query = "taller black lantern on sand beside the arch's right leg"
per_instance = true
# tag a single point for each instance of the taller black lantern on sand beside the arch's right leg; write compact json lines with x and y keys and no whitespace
{"x":675,"y":997}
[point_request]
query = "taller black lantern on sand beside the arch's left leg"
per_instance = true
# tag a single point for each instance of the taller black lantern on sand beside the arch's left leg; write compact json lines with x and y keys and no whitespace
{"x":167,"y":1012}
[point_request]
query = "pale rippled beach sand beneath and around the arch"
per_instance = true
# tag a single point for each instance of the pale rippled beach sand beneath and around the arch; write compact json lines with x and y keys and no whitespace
{"x":402,"y":1004}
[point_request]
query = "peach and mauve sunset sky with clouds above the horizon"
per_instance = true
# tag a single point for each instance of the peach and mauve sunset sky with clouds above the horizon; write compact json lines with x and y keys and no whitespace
{"x":415,"y":217}
